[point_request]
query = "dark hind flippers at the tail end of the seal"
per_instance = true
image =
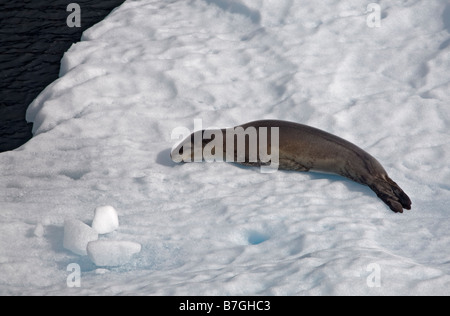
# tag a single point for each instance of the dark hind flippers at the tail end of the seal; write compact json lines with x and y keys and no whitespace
{"x":391,"y":194}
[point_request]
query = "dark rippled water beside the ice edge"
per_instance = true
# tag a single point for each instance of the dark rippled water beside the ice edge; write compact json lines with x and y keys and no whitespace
{"x":33,"y":38}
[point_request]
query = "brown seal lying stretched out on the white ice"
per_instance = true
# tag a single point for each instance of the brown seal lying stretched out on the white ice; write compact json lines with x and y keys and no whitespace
{"x":305,"y":148}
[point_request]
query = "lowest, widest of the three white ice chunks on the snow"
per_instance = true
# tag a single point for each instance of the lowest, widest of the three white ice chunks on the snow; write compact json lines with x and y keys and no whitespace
{"x":112,"y":252}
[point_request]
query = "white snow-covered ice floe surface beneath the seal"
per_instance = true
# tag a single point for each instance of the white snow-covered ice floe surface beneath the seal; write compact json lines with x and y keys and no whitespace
{"x":102,"y":136}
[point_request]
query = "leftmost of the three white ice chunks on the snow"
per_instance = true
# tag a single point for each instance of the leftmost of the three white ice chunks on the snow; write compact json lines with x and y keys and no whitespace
{"x":77,"y":235}
